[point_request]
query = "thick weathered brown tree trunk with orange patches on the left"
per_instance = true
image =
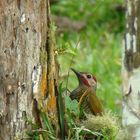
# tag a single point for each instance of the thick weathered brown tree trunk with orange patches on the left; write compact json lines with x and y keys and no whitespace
{"x":27,"y":64}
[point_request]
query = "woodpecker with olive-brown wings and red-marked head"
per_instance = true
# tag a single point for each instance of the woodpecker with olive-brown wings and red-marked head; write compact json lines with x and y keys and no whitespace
{"x":85,"y":93}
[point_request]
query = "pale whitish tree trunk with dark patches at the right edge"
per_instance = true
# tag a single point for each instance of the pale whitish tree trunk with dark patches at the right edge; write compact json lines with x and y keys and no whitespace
{"x":131,"y":71}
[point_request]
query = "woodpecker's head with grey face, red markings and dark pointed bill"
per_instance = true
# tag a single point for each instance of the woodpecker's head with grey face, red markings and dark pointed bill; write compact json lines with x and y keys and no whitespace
{"x":86,"y":79}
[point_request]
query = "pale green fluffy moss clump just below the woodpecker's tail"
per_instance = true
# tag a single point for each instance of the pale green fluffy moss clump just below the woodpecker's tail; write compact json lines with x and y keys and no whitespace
{"x":107,"y":124}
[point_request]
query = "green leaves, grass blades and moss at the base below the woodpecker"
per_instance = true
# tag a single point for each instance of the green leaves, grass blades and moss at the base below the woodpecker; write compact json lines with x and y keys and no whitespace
{"x":105,"y":126}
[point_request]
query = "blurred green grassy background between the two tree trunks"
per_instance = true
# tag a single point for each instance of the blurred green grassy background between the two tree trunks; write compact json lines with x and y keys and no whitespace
{"x":97,"y":26}
